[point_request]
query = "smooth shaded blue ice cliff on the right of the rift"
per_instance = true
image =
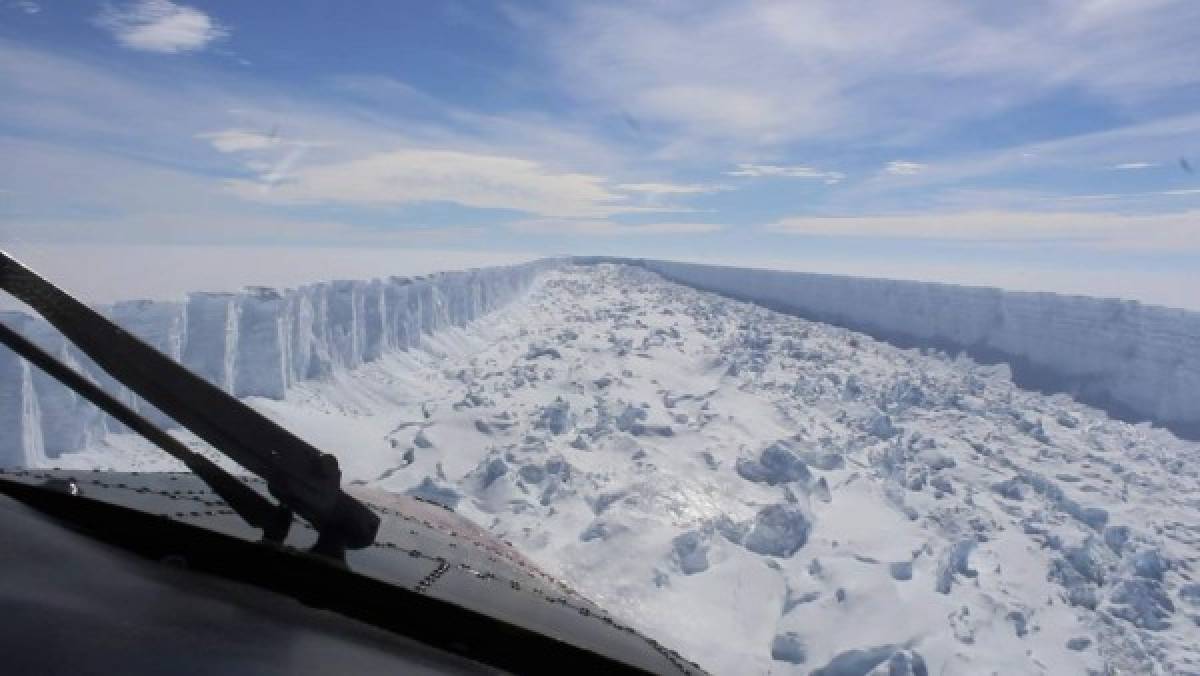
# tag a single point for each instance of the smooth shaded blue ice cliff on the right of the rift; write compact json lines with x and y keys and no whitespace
{"x":1137,"y":362}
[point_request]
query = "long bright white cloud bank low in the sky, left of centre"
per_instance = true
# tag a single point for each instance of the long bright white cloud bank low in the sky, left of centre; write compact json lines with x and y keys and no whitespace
{"x":472,"y":180}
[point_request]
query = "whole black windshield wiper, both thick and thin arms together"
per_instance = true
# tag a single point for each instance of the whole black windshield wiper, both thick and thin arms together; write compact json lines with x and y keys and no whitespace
{"x":304,"y":480}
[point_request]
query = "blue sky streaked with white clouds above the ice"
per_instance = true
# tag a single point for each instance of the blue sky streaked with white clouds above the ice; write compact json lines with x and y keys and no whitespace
{"x":1035,"y":145}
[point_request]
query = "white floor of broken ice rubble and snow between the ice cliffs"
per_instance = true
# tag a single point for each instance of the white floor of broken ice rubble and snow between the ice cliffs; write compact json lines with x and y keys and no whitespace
{"x":767,"y":494}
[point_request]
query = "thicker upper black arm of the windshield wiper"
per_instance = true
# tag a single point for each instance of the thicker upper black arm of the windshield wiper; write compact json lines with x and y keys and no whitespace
{"x":298,"y":475}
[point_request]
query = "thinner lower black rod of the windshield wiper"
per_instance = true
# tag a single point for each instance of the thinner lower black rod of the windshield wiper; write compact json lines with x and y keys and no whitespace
{"x":250,"y":505}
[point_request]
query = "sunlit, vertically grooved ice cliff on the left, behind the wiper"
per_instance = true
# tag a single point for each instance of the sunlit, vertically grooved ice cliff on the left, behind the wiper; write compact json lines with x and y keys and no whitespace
{"x":251,"y":344}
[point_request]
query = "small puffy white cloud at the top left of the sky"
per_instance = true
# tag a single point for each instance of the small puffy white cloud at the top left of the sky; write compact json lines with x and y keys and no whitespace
{"x":160,"y":26}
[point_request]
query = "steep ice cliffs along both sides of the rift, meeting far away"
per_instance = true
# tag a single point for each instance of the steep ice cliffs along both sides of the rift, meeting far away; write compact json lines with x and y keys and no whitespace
{"x":1137,"y":362}
